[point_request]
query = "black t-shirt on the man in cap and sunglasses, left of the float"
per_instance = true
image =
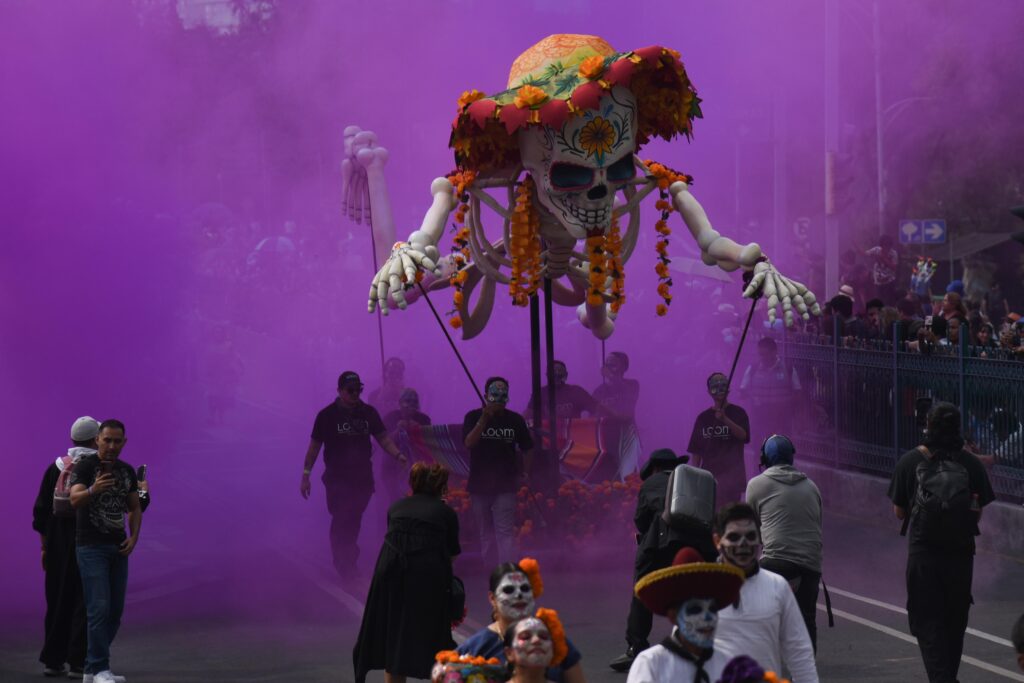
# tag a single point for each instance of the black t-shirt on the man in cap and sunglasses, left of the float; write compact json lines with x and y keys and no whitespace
{"x":346,"y":435}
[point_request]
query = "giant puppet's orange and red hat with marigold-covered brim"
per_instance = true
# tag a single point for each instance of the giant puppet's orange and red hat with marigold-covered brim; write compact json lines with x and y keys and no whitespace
{"x":566,"y":74}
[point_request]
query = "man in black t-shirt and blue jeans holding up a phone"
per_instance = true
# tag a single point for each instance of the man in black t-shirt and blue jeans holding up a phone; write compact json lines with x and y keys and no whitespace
{"x":104,"y":492}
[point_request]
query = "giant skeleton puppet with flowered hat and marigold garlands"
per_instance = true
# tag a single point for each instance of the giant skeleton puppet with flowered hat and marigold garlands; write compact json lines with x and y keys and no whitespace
{"x":563,"y":143}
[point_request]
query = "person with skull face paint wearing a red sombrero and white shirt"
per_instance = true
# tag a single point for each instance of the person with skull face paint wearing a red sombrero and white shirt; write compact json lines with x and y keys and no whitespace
{"x":690,"y":594}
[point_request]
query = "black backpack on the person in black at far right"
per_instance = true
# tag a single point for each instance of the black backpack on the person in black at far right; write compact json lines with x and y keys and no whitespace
{"x":943,"y":514}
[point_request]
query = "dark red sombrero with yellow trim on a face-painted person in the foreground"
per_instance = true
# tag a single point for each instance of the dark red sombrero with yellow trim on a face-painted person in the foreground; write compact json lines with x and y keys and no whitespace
{"x":690,"y":577}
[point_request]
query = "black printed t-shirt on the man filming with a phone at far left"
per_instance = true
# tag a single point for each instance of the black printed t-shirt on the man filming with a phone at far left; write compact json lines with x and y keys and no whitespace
{"x":102,"y":521}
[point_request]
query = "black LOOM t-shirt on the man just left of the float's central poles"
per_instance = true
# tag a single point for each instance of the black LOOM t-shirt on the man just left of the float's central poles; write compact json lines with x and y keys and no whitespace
{"x":494,"y":465}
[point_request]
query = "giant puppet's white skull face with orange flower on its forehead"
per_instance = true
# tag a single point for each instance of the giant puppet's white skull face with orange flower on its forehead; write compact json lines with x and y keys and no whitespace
{"x":580,"y":167}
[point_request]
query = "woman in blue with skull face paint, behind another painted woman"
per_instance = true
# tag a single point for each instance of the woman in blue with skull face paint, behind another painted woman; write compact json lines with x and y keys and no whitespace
{"x":515,"y":589}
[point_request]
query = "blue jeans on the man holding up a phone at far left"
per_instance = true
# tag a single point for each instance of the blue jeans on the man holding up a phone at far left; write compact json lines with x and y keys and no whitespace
{"x":105,"y":580}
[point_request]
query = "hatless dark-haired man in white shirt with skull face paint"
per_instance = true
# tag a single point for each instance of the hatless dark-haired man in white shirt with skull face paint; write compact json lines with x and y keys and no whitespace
{"x":765,"y":623}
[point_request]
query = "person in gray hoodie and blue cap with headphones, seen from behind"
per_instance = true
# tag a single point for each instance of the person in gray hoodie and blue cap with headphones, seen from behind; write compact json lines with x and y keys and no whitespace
{"x":789,"y":505}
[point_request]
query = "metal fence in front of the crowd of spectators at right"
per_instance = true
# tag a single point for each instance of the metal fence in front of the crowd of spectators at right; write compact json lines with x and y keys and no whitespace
{"x":863,"y":402}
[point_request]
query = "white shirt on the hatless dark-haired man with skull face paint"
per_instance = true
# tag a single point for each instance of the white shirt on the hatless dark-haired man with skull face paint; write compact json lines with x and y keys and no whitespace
{"x":766,"y":626}
